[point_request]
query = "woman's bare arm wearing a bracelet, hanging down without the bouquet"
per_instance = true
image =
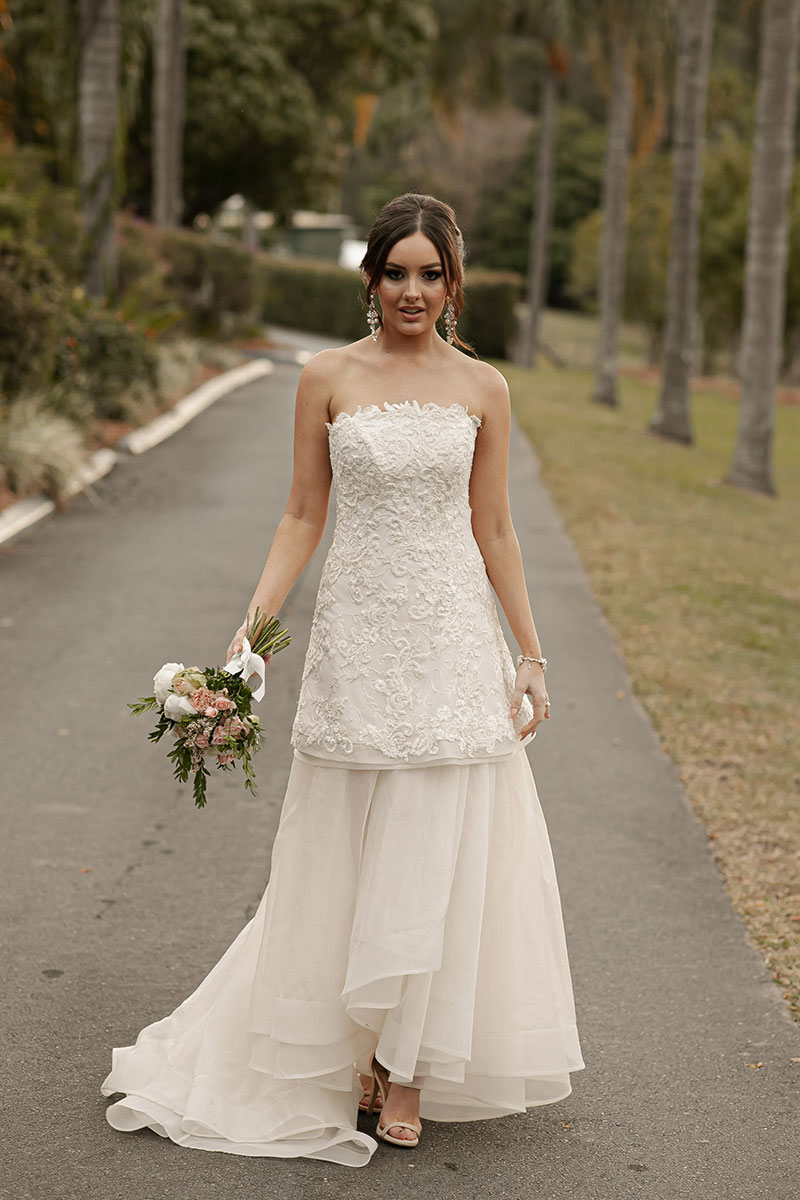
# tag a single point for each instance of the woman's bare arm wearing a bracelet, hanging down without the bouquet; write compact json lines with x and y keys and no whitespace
{"x":497,"y":541}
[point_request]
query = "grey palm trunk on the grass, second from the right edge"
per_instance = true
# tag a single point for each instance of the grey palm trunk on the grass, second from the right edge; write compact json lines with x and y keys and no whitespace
{"x":672,"y":419}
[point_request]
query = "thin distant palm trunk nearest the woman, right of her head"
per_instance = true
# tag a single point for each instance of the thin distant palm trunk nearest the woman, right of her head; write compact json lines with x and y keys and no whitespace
{"x":542,"y":218}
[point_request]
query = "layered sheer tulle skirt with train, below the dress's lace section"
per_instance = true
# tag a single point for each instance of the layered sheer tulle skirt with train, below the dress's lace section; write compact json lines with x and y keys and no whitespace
{"x":411,"y":913}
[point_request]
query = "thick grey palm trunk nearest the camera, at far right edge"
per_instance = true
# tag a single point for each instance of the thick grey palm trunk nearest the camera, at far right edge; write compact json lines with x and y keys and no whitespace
{"x":767,"y":245}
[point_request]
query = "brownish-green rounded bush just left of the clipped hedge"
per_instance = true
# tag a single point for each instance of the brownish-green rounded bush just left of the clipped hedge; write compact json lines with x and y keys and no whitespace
{"x":212,"y":280}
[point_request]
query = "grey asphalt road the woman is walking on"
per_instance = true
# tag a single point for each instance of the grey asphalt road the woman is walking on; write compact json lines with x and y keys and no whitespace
{"x":118,"y":896}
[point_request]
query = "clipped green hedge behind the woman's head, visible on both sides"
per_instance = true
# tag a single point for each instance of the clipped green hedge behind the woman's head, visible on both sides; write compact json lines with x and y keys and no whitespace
{"x":327,"y":299}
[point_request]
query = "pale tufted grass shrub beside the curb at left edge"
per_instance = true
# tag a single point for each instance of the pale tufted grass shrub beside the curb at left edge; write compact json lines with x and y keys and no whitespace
{"x":39,"y":449}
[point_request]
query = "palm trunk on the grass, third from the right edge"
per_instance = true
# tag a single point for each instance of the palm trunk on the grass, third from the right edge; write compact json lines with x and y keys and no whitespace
{"x":612,"y":249}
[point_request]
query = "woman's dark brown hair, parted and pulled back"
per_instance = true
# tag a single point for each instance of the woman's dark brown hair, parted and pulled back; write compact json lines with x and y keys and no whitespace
{"x":411,"y":214}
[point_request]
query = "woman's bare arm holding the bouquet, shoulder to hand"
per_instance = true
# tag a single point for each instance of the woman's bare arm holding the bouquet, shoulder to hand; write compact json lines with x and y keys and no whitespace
{"x":303,"y":524}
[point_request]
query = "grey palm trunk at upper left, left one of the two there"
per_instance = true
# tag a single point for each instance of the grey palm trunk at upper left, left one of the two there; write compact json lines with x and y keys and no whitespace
{"x":99,"y":97}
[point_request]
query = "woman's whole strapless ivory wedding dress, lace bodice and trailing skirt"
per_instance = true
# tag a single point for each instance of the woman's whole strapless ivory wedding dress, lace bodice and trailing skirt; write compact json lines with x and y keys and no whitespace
{"x":413,"y":907}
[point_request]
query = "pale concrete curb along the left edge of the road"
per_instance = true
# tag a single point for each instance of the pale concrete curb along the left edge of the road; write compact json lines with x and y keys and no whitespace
{"x":22,"y":515}
